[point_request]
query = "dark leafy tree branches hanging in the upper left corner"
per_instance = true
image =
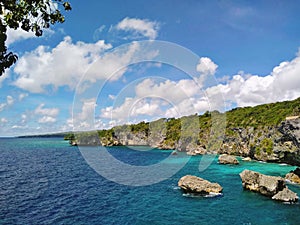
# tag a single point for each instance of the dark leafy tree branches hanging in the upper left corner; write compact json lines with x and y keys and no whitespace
{"x":30,"y":16}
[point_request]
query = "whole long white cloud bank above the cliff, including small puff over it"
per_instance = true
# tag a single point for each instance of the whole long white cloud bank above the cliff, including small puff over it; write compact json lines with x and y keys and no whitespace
{"x":186,"y":97}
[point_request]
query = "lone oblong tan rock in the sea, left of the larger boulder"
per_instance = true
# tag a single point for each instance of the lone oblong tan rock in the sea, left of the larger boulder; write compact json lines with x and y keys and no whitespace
{"x":197,"y":185}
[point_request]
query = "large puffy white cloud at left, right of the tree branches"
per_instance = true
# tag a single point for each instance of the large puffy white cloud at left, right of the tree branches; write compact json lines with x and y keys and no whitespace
{"x":47,"y":69}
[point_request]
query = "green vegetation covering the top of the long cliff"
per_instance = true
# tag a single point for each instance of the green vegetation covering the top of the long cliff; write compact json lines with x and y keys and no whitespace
{"x":207,"y":129}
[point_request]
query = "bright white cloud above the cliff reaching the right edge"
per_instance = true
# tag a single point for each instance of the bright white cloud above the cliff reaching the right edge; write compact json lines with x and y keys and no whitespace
{"x":250,"y":90}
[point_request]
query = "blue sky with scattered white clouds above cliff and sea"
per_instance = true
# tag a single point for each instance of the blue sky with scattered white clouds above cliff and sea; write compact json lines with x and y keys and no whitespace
{"x":116,"y":62}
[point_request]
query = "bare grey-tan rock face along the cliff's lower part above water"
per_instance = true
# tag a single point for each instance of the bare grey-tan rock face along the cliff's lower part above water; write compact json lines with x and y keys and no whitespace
{"x":272,"y":144}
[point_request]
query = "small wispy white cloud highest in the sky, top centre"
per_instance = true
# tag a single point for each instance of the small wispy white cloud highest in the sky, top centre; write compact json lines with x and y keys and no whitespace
{"x":139,"y":27}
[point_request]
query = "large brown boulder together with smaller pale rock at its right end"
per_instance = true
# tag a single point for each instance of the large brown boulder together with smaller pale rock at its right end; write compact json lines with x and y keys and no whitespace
{"x":270,"y":186}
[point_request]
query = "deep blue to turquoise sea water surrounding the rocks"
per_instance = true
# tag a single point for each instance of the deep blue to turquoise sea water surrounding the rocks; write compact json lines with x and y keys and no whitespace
{"x":46,"y":181}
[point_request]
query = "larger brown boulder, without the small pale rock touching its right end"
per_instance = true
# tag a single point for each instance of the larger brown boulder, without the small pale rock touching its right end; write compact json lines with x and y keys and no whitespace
{"x":266,"y":185}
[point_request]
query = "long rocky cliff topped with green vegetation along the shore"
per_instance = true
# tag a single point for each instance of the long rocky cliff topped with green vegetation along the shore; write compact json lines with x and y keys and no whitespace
{"x":269,"y":132}
